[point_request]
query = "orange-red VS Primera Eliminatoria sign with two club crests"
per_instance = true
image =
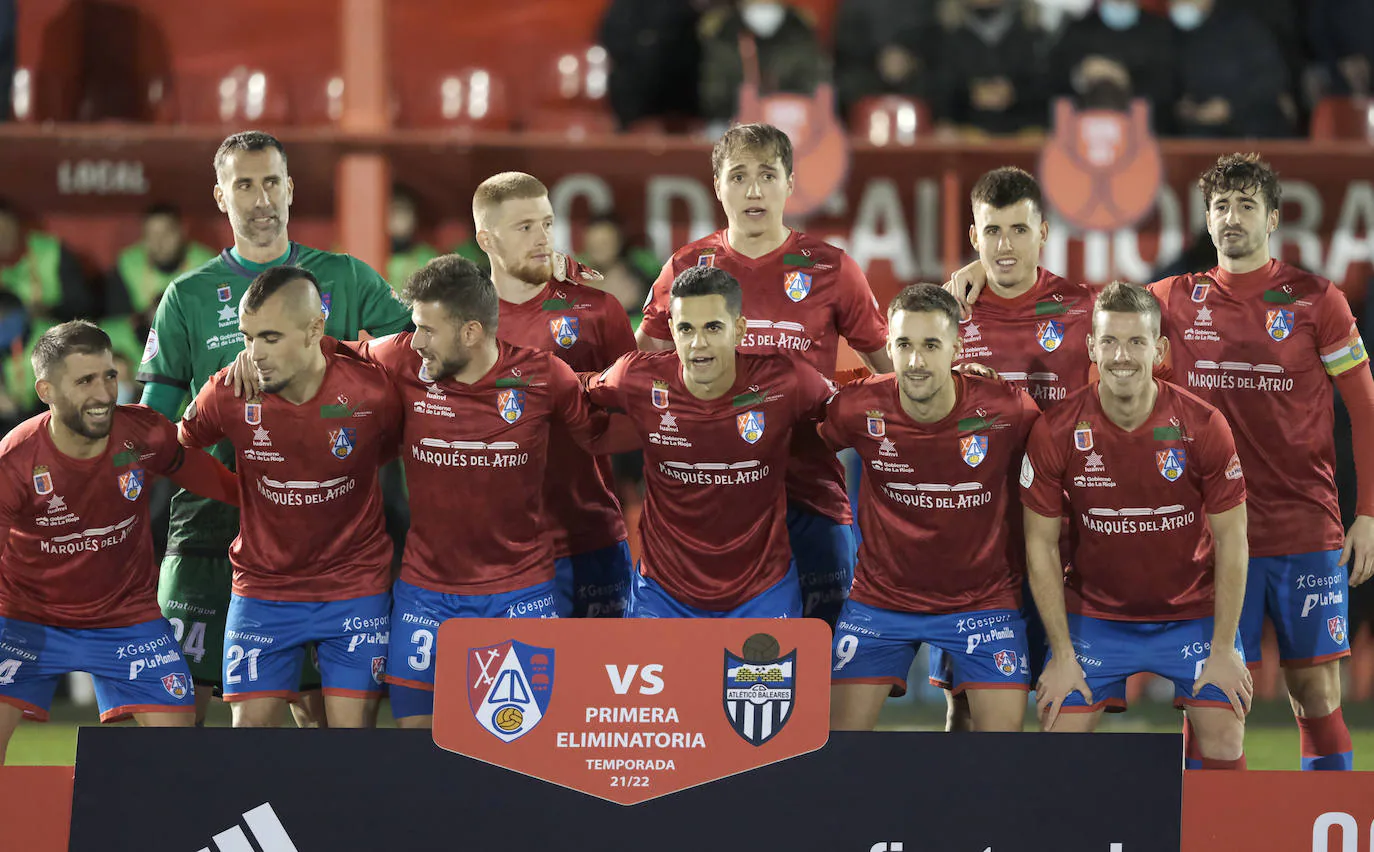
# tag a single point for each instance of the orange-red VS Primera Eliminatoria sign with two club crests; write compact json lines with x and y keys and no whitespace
{"x":633,"y":710}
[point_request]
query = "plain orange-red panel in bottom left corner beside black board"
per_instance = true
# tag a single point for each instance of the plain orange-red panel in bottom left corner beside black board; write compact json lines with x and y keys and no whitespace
{"x":35,"y":809}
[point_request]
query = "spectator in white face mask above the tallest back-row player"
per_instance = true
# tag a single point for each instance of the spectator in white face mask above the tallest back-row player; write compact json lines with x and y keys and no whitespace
{"x":789,"y":54}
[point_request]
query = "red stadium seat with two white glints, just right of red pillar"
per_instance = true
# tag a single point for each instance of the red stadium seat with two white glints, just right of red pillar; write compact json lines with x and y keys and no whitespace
{"x":469,"y":98}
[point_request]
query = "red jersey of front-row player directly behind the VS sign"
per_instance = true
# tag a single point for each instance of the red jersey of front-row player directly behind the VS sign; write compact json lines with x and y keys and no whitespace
{"x":714,"y":527}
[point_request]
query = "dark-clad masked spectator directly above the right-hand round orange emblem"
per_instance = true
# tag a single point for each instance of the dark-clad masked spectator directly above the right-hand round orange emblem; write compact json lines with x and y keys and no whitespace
{"x":1122,"y":46}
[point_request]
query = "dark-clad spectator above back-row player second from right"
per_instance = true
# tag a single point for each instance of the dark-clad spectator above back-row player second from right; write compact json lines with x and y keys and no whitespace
{"x":993,"y":69}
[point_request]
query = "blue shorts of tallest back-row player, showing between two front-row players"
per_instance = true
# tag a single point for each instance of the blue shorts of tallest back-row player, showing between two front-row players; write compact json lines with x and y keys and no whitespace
{"x":824,"y":553}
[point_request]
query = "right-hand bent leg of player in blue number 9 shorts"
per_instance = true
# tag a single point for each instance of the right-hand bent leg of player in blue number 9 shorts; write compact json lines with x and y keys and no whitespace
{"x":990,"y":666}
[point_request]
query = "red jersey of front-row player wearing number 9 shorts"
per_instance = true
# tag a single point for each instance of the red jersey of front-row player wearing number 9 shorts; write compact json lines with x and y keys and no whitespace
{"x":927,"y":487}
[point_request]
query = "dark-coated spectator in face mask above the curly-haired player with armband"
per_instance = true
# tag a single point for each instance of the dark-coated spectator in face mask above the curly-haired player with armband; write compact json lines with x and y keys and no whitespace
{"x":1233,"y":80}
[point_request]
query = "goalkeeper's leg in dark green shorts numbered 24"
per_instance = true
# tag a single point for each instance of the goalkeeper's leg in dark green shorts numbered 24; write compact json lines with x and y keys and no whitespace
{"x":194,"y":596}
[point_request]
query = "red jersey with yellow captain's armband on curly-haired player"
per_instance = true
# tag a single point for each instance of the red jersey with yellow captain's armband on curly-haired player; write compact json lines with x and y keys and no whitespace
{"x":1263,"y":348}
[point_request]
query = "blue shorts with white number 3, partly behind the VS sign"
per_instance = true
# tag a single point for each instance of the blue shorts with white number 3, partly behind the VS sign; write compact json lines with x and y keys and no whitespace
{"x":416,"y":618}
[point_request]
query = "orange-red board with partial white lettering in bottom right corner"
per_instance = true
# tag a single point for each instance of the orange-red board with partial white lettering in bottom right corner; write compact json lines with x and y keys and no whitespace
{"x":1292,"y":811}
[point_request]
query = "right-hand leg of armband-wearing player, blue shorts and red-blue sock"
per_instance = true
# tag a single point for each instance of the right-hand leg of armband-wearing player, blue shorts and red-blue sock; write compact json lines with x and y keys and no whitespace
{"x":1310,"y":607}
